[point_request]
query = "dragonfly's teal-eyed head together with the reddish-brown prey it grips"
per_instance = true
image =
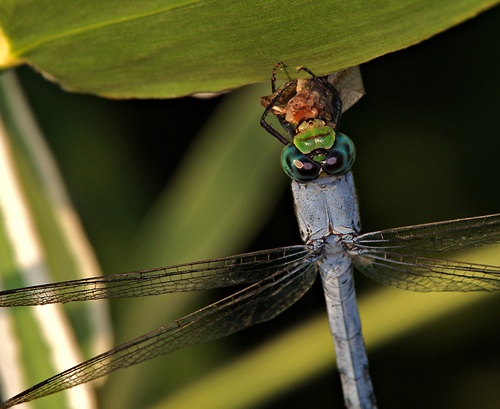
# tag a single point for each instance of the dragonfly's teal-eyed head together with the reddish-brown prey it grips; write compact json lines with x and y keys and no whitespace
{"x":309,"y":110}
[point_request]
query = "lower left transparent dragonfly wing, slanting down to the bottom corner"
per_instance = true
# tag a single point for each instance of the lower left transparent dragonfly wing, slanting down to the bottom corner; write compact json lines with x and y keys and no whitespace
{"x":257,"y":303}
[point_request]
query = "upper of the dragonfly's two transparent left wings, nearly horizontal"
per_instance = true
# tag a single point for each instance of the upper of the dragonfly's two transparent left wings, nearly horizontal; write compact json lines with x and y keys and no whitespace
{"x":221,"y":272}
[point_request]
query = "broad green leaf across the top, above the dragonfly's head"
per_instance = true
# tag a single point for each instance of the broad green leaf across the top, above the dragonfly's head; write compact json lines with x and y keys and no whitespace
{"x":161,"y":49}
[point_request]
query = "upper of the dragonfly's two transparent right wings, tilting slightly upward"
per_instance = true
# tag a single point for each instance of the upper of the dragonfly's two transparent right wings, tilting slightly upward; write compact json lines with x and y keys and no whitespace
{"x":434,"y":237}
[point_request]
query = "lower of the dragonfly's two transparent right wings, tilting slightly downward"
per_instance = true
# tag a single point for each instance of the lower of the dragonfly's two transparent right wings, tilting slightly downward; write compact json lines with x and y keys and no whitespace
{"x":425,"y":274}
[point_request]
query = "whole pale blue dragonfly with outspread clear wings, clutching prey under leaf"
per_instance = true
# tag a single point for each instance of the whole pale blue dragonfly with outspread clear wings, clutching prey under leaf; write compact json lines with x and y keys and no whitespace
{"x":327,"y":214}
